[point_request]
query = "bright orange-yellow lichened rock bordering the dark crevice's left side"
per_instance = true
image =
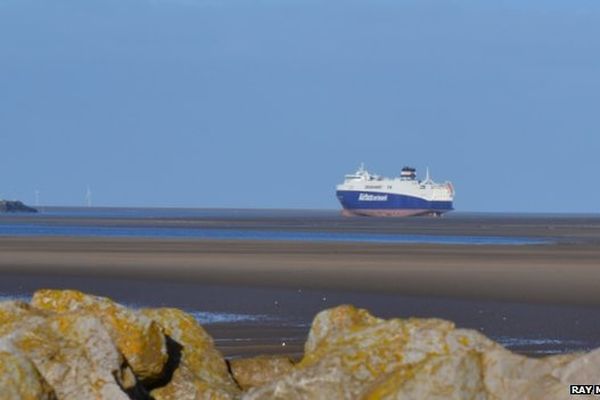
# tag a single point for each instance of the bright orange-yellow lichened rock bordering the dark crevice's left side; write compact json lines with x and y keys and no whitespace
{"x":139,"y":339}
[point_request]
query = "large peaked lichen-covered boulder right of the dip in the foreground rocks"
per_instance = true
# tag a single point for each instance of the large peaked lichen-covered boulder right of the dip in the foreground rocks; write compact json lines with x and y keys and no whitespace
{"x":348,"y":352}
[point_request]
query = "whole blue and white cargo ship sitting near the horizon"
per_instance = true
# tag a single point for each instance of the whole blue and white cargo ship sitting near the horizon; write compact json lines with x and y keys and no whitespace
{"x":367,"y":194}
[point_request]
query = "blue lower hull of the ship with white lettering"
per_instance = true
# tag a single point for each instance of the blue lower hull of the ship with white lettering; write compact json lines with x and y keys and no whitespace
{"x":374,"y":203}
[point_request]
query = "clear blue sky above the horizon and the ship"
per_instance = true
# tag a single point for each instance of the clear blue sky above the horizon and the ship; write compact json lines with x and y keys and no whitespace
{"x":248,"y":103}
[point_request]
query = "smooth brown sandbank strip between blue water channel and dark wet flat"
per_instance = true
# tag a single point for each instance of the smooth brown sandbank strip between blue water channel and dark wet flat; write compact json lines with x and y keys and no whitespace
{"x":550,"y":274}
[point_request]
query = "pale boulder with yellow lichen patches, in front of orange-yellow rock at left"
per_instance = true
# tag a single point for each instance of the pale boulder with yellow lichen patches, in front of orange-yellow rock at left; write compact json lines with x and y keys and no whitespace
{"x":75,"y":354}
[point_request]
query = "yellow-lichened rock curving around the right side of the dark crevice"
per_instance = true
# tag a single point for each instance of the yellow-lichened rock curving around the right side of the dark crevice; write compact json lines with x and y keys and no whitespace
{"x":201,"y":371}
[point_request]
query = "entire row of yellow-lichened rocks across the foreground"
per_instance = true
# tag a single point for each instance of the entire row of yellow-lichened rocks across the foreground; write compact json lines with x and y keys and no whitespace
{"x":69,"y":345}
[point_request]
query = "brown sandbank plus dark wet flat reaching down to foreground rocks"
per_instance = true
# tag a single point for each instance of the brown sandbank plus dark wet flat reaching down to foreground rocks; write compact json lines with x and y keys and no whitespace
{"x":537,"y":291}
